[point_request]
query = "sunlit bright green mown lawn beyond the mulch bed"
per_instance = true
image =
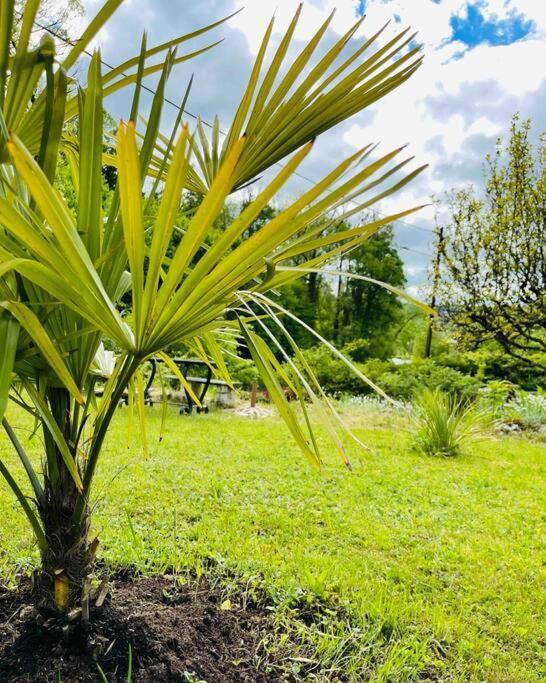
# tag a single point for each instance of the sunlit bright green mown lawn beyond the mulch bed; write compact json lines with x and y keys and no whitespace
{"x":427,"y":569}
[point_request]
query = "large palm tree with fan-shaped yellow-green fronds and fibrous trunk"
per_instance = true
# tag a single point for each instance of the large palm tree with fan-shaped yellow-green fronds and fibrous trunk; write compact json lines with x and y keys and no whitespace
{"x":62,"y":273}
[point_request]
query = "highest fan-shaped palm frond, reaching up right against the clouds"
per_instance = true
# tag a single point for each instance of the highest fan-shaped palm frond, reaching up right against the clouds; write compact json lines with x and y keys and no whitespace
{"x":280,"y":113}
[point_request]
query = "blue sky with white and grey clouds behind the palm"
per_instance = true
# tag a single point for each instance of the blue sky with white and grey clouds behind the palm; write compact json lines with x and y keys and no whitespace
{"x":484,"y":60}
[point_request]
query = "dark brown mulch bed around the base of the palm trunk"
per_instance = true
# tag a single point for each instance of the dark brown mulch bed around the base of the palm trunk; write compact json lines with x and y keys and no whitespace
{"x":177,"y":633}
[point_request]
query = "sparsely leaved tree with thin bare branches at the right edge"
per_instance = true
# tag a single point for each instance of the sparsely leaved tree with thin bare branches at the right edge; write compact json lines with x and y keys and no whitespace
{"x":494,"y":255}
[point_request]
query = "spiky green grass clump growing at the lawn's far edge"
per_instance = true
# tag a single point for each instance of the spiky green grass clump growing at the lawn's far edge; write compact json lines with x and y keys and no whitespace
{"x":445,"y":425}
